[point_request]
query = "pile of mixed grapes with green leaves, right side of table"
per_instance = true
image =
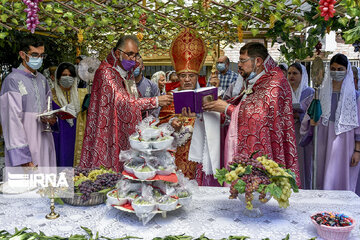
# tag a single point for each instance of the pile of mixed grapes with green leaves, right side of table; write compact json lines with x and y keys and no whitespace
{"x":248,"y":175}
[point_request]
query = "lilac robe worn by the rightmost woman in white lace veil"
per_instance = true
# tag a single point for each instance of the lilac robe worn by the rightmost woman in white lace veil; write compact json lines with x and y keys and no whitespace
{"x":334,"y":151}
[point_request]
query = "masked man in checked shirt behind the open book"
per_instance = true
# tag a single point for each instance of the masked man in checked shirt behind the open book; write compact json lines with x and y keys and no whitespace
{"x":224,"y":76}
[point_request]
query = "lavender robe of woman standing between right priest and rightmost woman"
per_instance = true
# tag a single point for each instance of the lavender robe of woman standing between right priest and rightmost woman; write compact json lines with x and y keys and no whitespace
{"x":304,"y":152}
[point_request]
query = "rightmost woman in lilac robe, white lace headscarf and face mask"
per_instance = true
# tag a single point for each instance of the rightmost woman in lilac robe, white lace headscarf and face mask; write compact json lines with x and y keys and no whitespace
{"x":338,"y":142}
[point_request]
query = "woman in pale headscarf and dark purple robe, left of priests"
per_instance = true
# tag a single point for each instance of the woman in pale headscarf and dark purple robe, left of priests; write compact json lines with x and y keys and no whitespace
{"x":66,"y":93}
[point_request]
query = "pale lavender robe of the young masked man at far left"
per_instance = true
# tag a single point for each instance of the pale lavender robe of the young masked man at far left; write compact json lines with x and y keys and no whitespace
{"x":23,"y":96}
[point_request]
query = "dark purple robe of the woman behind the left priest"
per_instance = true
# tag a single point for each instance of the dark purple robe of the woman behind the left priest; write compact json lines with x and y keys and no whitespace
{"x":64,"y":140}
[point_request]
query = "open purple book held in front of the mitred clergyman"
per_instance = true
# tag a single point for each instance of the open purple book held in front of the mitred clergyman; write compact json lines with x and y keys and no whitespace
{"x":194,"y":99}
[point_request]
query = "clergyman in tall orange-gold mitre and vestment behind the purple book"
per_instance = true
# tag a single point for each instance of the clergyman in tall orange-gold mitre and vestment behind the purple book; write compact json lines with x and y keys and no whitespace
{"x":187,"y":53}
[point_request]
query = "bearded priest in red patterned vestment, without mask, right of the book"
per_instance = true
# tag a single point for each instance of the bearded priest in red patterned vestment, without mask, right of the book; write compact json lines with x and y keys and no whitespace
{"x":261,"y":117}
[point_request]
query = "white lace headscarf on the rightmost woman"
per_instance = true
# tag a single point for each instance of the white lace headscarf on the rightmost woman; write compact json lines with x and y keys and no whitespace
{"x":346,"y":116}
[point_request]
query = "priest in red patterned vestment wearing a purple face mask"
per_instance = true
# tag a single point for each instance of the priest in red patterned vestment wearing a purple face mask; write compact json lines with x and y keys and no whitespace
{"x":114,"y":109}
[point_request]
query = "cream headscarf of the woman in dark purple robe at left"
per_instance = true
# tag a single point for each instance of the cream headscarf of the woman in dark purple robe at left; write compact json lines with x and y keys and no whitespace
{"x":73,"y":96}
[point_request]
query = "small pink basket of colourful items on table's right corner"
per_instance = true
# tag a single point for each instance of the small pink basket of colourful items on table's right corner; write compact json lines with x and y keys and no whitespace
{"x":333,"y":226}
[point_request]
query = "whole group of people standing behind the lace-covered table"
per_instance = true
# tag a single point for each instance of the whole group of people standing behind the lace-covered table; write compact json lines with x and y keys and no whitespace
{"x":261,"y":108}
